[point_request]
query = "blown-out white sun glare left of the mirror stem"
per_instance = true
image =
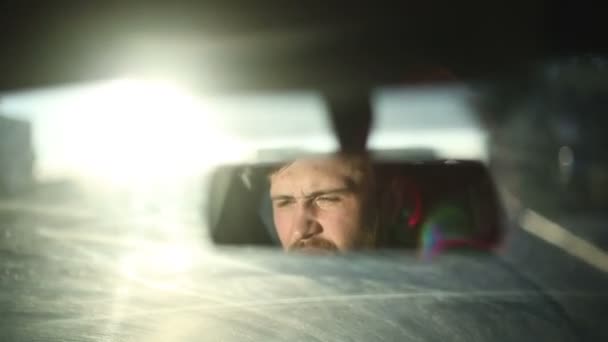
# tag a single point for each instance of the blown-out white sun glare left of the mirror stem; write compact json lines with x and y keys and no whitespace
{"x":139,"y":131}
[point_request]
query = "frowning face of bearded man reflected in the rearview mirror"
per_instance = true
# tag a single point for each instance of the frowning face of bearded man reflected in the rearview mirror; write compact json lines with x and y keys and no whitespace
{"x":321,"y":205}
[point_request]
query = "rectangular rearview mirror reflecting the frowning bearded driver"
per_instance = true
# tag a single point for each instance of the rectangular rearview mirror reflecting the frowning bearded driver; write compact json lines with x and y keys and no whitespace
{"x":429,"y":206}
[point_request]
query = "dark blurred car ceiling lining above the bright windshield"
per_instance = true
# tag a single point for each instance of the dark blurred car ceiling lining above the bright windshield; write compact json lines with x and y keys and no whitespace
{"x":236,"y":45}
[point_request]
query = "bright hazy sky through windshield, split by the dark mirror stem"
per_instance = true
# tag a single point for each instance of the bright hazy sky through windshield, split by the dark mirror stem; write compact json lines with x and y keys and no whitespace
{"x":124,"y":128}
